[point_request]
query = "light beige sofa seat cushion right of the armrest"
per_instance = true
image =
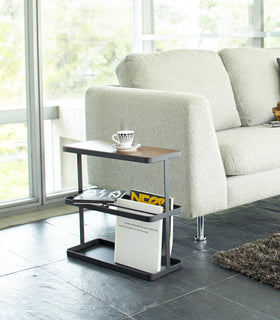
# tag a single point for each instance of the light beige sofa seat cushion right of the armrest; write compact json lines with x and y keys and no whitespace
{"x":249,"y":150}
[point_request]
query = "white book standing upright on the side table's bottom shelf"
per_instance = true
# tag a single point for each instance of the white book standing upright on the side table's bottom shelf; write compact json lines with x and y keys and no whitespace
{"x":138,"y":244}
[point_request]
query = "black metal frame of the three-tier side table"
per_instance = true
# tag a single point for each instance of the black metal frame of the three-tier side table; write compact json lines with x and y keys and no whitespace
{"x":100,"y":251}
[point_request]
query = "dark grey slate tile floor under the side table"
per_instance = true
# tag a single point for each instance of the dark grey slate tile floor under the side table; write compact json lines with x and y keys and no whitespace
{"x":38,"y":281}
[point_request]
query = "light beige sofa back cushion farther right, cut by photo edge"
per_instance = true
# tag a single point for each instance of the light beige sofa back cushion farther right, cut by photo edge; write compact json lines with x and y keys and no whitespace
{"x":254,"y":77}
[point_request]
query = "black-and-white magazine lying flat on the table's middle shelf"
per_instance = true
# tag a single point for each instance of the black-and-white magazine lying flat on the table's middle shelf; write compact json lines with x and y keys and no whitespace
{"x":95,"y":195}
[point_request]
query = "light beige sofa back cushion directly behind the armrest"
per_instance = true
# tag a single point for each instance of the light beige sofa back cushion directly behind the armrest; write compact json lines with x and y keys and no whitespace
{"x":196,"y":71}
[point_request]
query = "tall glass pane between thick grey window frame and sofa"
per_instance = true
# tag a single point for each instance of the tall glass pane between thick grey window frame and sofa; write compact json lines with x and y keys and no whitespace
{"x":82,"y":42}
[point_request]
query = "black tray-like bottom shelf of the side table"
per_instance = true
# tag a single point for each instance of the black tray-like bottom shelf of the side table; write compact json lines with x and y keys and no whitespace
{"x":101,"y":253}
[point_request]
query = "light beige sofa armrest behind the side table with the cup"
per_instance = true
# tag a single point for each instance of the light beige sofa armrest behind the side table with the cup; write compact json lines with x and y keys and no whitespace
{"x":174,"y":120}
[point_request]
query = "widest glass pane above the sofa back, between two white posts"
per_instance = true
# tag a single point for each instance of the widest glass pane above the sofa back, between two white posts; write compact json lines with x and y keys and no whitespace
{"x":205,"y":24}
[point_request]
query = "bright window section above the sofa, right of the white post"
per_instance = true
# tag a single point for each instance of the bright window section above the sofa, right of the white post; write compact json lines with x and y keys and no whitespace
{"x":209,"y":24}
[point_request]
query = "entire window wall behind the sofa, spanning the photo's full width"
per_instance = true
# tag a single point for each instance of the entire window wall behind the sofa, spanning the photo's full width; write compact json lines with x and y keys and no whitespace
{"x":52,"y":51}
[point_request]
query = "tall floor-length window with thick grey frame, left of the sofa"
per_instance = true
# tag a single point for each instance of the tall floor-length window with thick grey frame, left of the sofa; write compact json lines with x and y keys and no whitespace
{"x":51,"y":52}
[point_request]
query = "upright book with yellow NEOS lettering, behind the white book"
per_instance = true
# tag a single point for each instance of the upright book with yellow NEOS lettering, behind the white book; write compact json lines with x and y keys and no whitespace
{"x":154,"y":199}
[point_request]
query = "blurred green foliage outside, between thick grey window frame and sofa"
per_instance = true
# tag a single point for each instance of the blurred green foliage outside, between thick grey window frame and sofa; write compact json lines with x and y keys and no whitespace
{"x":83,"y":40}
